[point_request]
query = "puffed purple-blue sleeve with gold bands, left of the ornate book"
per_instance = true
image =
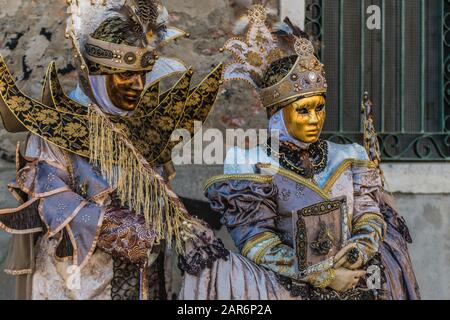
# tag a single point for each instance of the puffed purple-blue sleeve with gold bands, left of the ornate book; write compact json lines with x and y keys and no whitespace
{"x":248,"y":210}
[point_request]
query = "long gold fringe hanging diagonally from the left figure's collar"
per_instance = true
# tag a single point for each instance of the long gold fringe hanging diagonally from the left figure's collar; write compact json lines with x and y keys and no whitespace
{"x":138,"y":186}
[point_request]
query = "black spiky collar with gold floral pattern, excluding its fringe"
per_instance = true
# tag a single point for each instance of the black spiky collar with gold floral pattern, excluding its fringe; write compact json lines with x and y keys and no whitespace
{"x":65,"y":122}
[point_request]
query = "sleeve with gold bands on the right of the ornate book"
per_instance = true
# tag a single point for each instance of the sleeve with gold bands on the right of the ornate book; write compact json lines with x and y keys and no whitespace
{"x":368,"y":225}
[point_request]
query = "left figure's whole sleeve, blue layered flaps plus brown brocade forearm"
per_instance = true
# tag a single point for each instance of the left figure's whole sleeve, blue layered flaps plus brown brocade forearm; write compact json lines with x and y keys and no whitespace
{"x":71,"y":199}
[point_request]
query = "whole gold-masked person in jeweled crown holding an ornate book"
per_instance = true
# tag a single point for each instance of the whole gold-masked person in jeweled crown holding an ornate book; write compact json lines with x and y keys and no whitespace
{"x":310,"y":218}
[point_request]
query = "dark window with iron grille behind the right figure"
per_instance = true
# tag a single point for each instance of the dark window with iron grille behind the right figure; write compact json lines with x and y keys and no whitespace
{"x":404,"y":65}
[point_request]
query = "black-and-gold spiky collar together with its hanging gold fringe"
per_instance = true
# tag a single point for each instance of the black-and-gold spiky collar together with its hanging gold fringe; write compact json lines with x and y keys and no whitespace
{"x":123,"y":148}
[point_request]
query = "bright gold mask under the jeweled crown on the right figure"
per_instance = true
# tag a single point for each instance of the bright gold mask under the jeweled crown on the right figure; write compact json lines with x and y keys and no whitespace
{"x":304,"y":118}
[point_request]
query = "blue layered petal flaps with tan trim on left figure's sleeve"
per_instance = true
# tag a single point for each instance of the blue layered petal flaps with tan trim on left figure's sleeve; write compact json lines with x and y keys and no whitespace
{"x":65,"y":214}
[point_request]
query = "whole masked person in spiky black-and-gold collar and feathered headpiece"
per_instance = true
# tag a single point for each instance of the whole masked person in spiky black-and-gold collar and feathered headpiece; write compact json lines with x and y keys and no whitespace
{"x":97,"y":215}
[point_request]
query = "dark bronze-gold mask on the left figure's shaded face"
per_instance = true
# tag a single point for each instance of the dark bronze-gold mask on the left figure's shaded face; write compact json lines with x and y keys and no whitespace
{"x":125,"y":89}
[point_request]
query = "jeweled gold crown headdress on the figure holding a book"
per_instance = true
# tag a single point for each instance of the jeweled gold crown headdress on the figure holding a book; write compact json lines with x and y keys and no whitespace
{"x":262,"y":57}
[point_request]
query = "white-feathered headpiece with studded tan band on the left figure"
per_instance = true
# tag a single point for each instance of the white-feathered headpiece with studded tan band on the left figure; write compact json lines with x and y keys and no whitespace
{"x":116,"y":36}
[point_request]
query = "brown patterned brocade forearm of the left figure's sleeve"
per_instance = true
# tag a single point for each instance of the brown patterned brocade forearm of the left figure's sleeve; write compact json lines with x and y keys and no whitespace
{"x":125,"y":234}
